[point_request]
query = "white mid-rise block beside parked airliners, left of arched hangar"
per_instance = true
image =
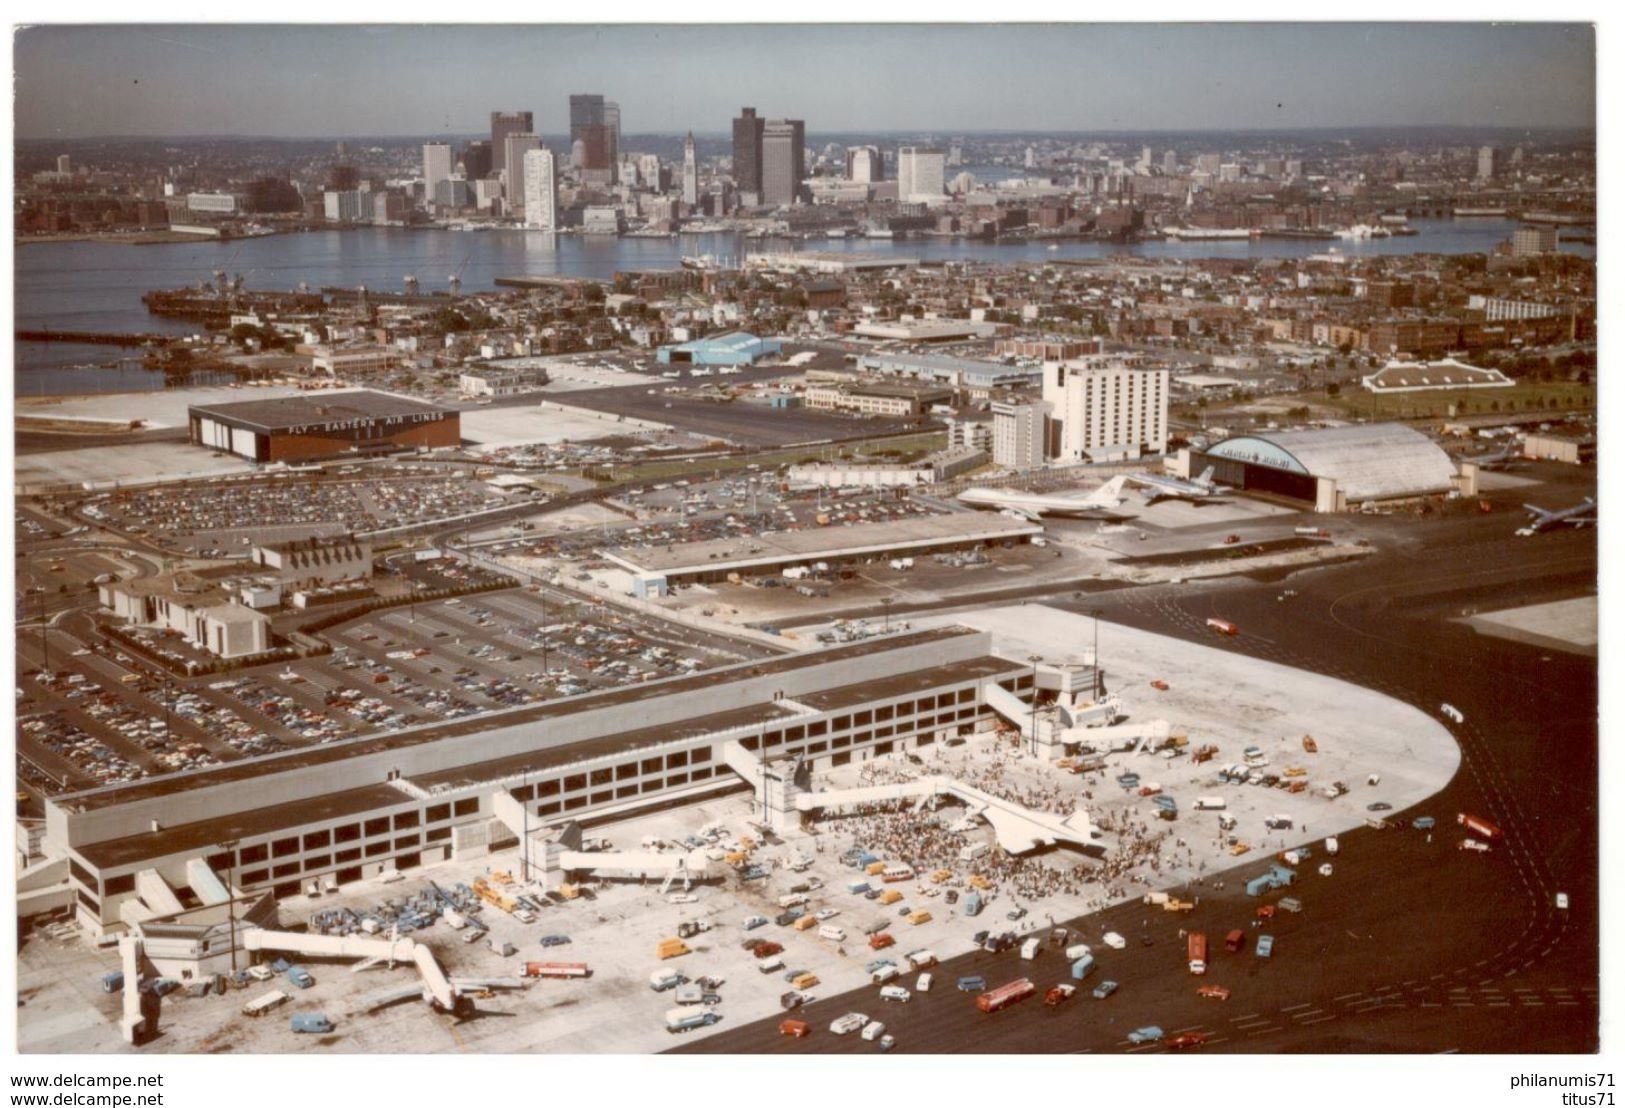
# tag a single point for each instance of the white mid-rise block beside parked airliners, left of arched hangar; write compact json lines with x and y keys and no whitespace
{"x":1101,"y":405}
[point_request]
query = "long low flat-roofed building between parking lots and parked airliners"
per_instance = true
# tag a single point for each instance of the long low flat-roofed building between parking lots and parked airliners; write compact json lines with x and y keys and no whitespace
{"x":755,"y":555}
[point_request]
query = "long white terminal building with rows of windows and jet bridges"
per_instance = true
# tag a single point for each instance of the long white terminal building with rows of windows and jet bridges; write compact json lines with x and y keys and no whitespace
{"x":423,"y":795}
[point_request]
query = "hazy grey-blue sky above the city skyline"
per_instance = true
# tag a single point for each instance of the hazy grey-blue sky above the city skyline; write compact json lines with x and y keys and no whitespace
{"x":412,"y":80}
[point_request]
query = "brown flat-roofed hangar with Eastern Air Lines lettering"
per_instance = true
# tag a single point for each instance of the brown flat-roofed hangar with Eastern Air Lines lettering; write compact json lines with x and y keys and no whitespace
{"x":324,"y":425}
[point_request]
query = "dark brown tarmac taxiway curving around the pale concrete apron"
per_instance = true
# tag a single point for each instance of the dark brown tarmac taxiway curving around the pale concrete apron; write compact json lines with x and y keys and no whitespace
{"x":1413,"y":945}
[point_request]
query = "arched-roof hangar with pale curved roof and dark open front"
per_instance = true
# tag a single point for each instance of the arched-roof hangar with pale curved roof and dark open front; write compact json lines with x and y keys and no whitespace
{"x":1335,"y":469}
